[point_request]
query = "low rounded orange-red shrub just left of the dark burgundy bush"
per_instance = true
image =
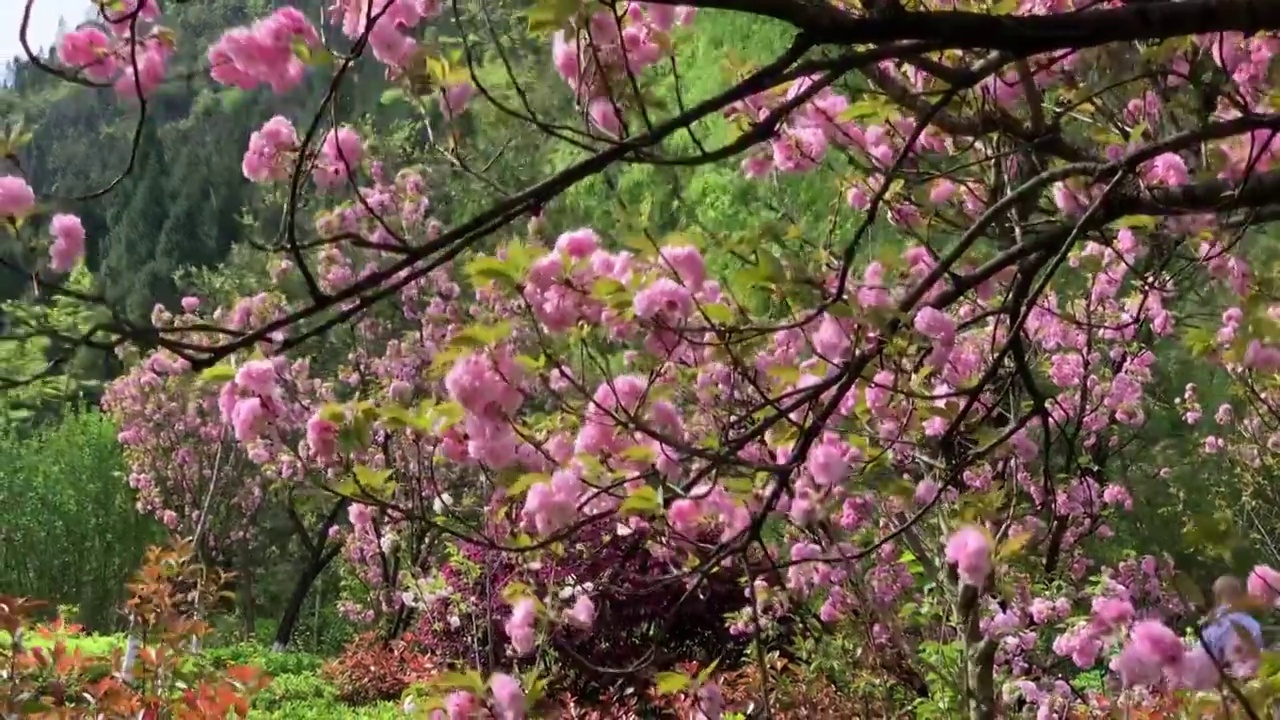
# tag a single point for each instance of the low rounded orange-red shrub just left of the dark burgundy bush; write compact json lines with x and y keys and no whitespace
{"x":373,"y":671}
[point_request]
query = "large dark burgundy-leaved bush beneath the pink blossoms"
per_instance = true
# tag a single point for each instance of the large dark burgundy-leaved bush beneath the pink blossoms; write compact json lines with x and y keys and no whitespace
{"x":639,"y":609}
